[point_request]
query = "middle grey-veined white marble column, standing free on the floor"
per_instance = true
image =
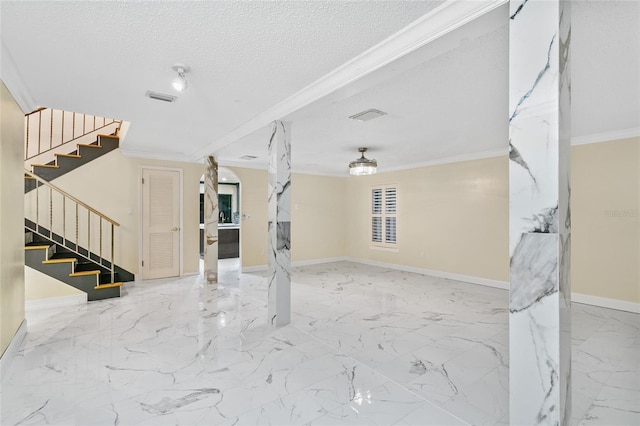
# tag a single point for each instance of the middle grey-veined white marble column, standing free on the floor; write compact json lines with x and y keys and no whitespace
{"x":279,"y":305}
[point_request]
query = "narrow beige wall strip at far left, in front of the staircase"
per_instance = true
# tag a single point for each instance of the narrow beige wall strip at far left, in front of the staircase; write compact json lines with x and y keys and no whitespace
{"x":11,"y":218}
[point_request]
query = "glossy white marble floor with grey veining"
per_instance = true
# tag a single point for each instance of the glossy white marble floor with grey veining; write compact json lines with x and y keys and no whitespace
{"x":366,"y":346}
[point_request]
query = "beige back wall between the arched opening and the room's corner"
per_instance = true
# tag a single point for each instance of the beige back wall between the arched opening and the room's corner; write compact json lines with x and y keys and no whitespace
{"x":318,"y":216}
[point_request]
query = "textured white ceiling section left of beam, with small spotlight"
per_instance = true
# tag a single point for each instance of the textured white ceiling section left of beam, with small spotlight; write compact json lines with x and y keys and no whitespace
{"x":101,"y":57}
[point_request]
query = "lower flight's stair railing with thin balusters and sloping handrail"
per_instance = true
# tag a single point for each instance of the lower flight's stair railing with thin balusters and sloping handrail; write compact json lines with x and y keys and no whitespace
{"x":49,"y":205}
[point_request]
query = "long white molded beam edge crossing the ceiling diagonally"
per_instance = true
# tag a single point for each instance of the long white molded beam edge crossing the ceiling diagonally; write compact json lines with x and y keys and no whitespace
{"x":433,"y":25}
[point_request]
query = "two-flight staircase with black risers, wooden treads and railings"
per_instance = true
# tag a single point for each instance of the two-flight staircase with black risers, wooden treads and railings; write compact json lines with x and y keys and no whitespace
{"x":65,"y":238}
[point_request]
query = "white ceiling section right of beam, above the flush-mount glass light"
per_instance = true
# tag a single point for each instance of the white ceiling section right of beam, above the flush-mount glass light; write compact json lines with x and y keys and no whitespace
{"x":450,"y":100}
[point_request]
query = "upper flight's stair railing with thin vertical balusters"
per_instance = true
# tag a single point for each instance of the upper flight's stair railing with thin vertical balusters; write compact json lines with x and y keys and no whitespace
{"x":47,"y":129}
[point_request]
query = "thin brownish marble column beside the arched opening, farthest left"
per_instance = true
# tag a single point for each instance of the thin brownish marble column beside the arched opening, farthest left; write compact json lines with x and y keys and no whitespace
{"x":211,"y":221}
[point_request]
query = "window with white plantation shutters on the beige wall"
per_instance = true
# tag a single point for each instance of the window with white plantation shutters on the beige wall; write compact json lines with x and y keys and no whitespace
{"x":384,"y":216}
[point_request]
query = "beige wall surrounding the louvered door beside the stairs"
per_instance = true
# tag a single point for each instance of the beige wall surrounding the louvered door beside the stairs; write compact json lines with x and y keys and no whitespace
{"x":111,"y":184}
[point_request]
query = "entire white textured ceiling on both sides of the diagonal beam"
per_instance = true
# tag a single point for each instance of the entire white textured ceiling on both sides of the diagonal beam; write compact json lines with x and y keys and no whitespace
{"x":445,"y":100}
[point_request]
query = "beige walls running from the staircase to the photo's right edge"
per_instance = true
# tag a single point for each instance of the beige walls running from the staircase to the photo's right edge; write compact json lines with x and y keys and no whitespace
{"x":452,"y":218}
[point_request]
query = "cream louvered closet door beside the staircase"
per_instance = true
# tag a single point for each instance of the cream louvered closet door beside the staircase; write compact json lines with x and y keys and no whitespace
{"x":161,"y":195}
